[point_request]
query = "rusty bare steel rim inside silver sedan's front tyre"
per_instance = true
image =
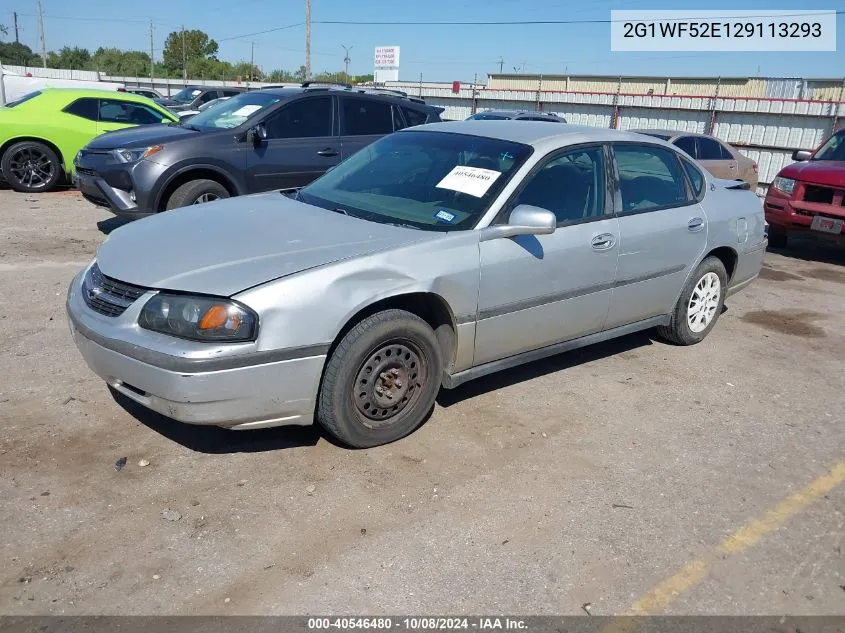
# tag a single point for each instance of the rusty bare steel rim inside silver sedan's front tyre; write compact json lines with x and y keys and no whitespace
{"x":389,"y":381}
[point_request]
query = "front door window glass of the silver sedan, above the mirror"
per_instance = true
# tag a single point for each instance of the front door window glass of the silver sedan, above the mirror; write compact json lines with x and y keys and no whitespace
{"x":572,"y":186}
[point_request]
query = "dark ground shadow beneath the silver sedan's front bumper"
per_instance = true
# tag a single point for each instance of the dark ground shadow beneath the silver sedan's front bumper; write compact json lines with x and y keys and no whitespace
{"x":218,"y":441}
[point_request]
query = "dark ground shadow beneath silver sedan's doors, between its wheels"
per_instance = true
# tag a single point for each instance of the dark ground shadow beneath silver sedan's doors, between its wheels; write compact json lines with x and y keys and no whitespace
{"x":552,"y":364}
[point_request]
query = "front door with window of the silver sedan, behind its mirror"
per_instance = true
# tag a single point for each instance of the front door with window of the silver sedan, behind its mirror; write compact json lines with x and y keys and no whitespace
{"x":539,"y":290}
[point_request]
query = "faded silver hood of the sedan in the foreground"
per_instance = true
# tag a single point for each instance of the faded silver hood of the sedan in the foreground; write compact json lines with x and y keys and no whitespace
{"x":227,"y":246}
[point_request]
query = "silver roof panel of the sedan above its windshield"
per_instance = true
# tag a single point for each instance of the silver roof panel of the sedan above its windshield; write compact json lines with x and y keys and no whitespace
{"x":534,"y":133}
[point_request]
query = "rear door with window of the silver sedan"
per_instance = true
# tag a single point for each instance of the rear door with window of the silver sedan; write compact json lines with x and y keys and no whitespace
{"x":663,"y":232}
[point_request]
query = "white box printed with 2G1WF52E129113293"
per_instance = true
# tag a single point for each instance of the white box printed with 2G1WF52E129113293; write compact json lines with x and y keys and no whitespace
{"x":720,"y":30}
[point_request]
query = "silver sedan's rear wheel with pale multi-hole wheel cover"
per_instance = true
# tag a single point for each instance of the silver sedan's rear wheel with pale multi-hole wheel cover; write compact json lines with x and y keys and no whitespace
{"x":699,"y":305}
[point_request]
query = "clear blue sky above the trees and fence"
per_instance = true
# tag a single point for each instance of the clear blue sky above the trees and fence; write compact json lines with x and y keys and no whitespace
{"x":438,"y":53}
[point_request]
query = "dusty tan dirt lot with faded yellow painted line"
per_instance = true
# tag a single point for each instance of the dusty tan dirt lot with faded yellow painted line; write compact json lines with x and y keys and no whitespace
{"x":633,"y":476}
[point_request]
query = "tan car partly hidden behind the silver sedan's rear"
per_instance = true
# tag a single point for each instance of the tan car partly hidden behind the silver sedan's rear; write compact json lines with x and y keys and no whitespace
{"x":717,"y":157}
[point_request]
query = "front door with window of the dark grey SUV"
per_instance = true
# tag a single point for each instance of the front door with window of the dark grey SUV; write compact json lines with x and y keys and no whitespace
{"x":300,"y":145}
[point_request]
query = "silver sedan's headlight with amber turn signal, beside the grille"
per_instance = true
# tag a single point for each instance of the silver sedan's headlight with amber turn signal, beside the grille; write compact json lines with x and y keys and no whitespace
{"x":199,"y":318}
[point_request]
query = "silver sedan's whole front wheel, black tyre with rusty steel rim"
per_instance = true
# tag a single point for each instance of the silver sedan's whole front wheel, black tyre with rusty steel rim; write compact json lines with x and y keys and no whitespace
{"x":381,"y":380}
